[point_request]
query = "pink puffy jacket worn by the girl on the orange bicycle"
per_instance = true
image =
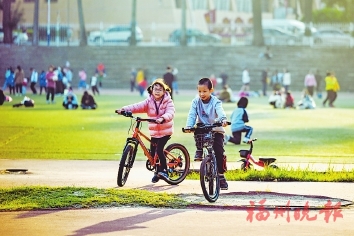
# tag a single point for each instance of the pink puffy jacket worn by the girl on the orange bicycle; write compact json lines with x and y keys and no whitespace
{"x":165,"y":109}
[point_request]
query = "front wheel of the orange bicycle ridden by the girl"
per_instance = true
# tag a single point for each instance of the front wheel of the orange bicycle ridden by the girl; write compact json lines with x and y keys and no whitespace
{"x":126,"y":163}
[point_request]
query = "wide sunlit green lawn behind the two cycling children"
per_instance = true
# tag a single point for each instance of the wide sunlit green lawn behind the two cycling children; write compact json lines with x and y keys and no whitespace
{"x":50,"y":132}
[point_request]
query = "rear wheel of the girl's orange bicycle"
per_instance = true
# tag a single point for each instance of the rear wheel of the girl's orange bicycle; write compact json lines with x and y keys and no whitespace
{"x":178,"y":162}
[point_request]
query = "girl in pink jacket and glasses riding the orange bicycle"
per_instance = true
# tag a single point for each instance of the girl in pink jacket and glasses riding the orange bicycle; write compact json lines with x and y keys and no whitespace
{"x":158,"y":105}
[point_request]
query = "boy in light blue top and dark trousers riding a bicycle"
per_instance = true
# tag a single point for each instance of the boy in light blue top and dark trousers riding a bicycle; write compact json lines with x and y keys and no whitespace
{"x":206,"y":109}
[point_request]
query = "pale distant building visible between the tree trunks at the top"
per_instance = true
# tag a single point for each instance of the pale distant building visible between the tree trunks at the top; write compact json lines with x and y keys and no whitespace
{"x":156,"y":18}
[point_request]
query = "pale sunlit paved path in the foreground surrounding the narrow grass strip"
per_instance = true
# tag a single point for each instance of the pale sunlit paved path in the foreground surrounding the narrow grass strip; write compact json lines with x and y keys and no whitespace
{"x":230,"y":215}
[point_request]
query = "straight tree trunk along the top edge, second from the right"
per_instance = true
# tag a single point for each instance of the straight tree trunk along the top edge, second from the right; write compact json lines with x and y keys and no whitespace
{"x":257,"y":23}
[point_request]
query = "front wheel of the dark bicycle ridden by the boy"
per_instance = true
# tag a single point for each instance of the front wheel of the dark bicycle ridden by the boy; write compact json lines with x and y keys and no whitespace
{"x":209,"y":179}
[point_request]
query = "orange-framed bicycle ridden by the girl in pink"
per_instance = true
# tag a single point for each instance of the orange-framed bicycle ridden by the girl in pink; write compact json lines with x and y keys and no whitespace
{"x":177,"y":155}
